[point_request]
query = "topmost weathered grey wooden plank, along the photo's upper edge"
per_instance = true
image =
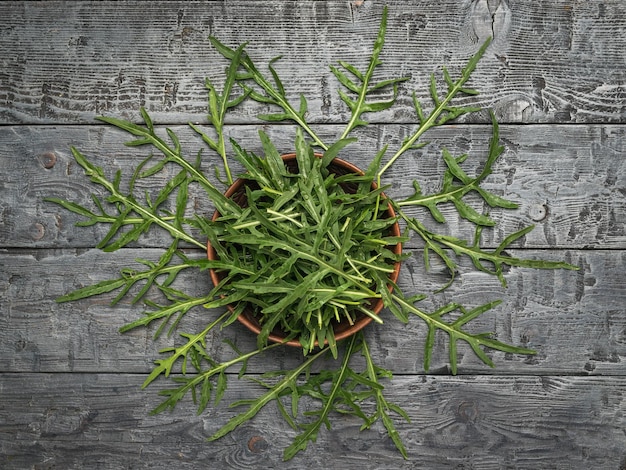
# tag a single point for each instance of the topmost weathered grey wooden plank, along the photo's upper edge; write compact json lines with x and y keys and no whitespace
{"x":66,"y":61}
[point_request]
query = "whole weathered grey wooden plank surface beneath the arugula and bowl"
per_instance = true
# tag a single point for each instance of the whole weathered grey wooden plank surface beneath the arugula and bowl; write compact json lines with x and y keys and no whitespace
{"x":555,"y":75}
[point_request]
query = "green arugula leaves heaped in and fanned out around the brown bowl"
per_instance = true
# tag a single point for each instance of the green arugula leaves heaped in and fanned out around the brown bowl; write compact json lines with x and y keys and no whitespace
{"x":303,"y":248}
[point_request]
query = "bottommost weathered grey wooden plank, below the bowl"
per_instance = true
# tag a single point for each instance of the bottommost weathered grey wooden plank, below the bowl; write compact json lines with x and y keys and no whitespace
{"x":101,"y":421}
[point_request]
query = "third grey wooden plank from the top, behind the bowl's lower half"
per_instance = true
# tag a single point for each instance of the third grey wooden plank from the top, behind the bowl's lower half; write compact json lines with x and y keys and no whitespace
{"x":576,"y":321}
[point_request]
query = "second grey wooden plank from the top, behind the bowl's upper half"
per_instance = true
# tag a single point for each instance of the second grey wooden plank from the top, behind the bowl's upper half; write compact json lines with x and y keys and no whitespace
{"x":569,"y":180}
